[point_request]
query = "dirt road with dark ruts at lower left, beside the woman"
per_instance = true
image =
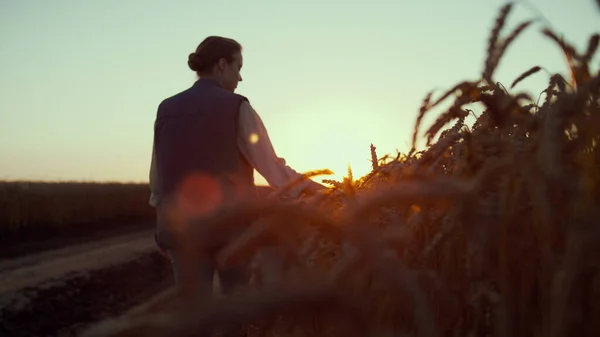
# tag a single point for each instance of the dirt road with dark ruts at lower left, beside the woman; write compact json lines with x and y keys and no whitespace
{"x":56,"y":293}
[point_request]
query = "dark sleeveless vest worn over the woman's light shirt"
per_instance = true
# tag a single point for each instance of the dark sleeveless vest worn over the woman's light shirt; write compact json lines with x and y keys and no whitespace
{"x":195,"y":143}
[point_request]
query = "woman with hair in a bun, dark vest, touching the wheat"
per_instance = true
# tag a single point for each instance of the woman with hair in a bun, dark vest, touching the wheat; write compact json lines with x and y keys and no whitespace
{"x":207,"y":143}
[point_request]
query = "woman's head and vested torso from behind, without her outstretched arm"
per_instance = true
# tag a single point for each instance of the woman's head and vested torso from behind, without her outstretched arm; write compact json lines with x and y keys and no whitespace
{"x":197,"y":165}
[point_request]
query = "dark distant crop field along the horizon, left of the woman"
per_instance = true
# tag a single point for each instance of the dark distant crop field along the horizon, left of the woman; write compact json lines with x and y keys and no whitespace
{"x":29,"y":210}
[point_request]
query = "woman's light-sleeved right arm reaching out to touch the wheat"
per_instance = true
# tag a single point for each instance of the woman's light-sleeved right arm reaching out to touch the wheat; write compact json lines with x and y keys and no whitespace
{"x":255,"y":145}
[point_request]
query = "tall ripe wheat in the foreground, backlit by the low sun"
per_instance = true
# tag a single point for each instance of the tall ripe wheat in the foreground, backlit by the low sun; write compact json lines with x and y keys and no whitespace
{"x":492,"y":230}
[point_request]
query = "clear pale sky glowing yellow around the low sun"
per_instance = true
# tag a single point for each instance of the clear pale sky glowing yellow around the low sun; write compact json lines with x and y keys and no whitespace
{"x":81,"y":80}
